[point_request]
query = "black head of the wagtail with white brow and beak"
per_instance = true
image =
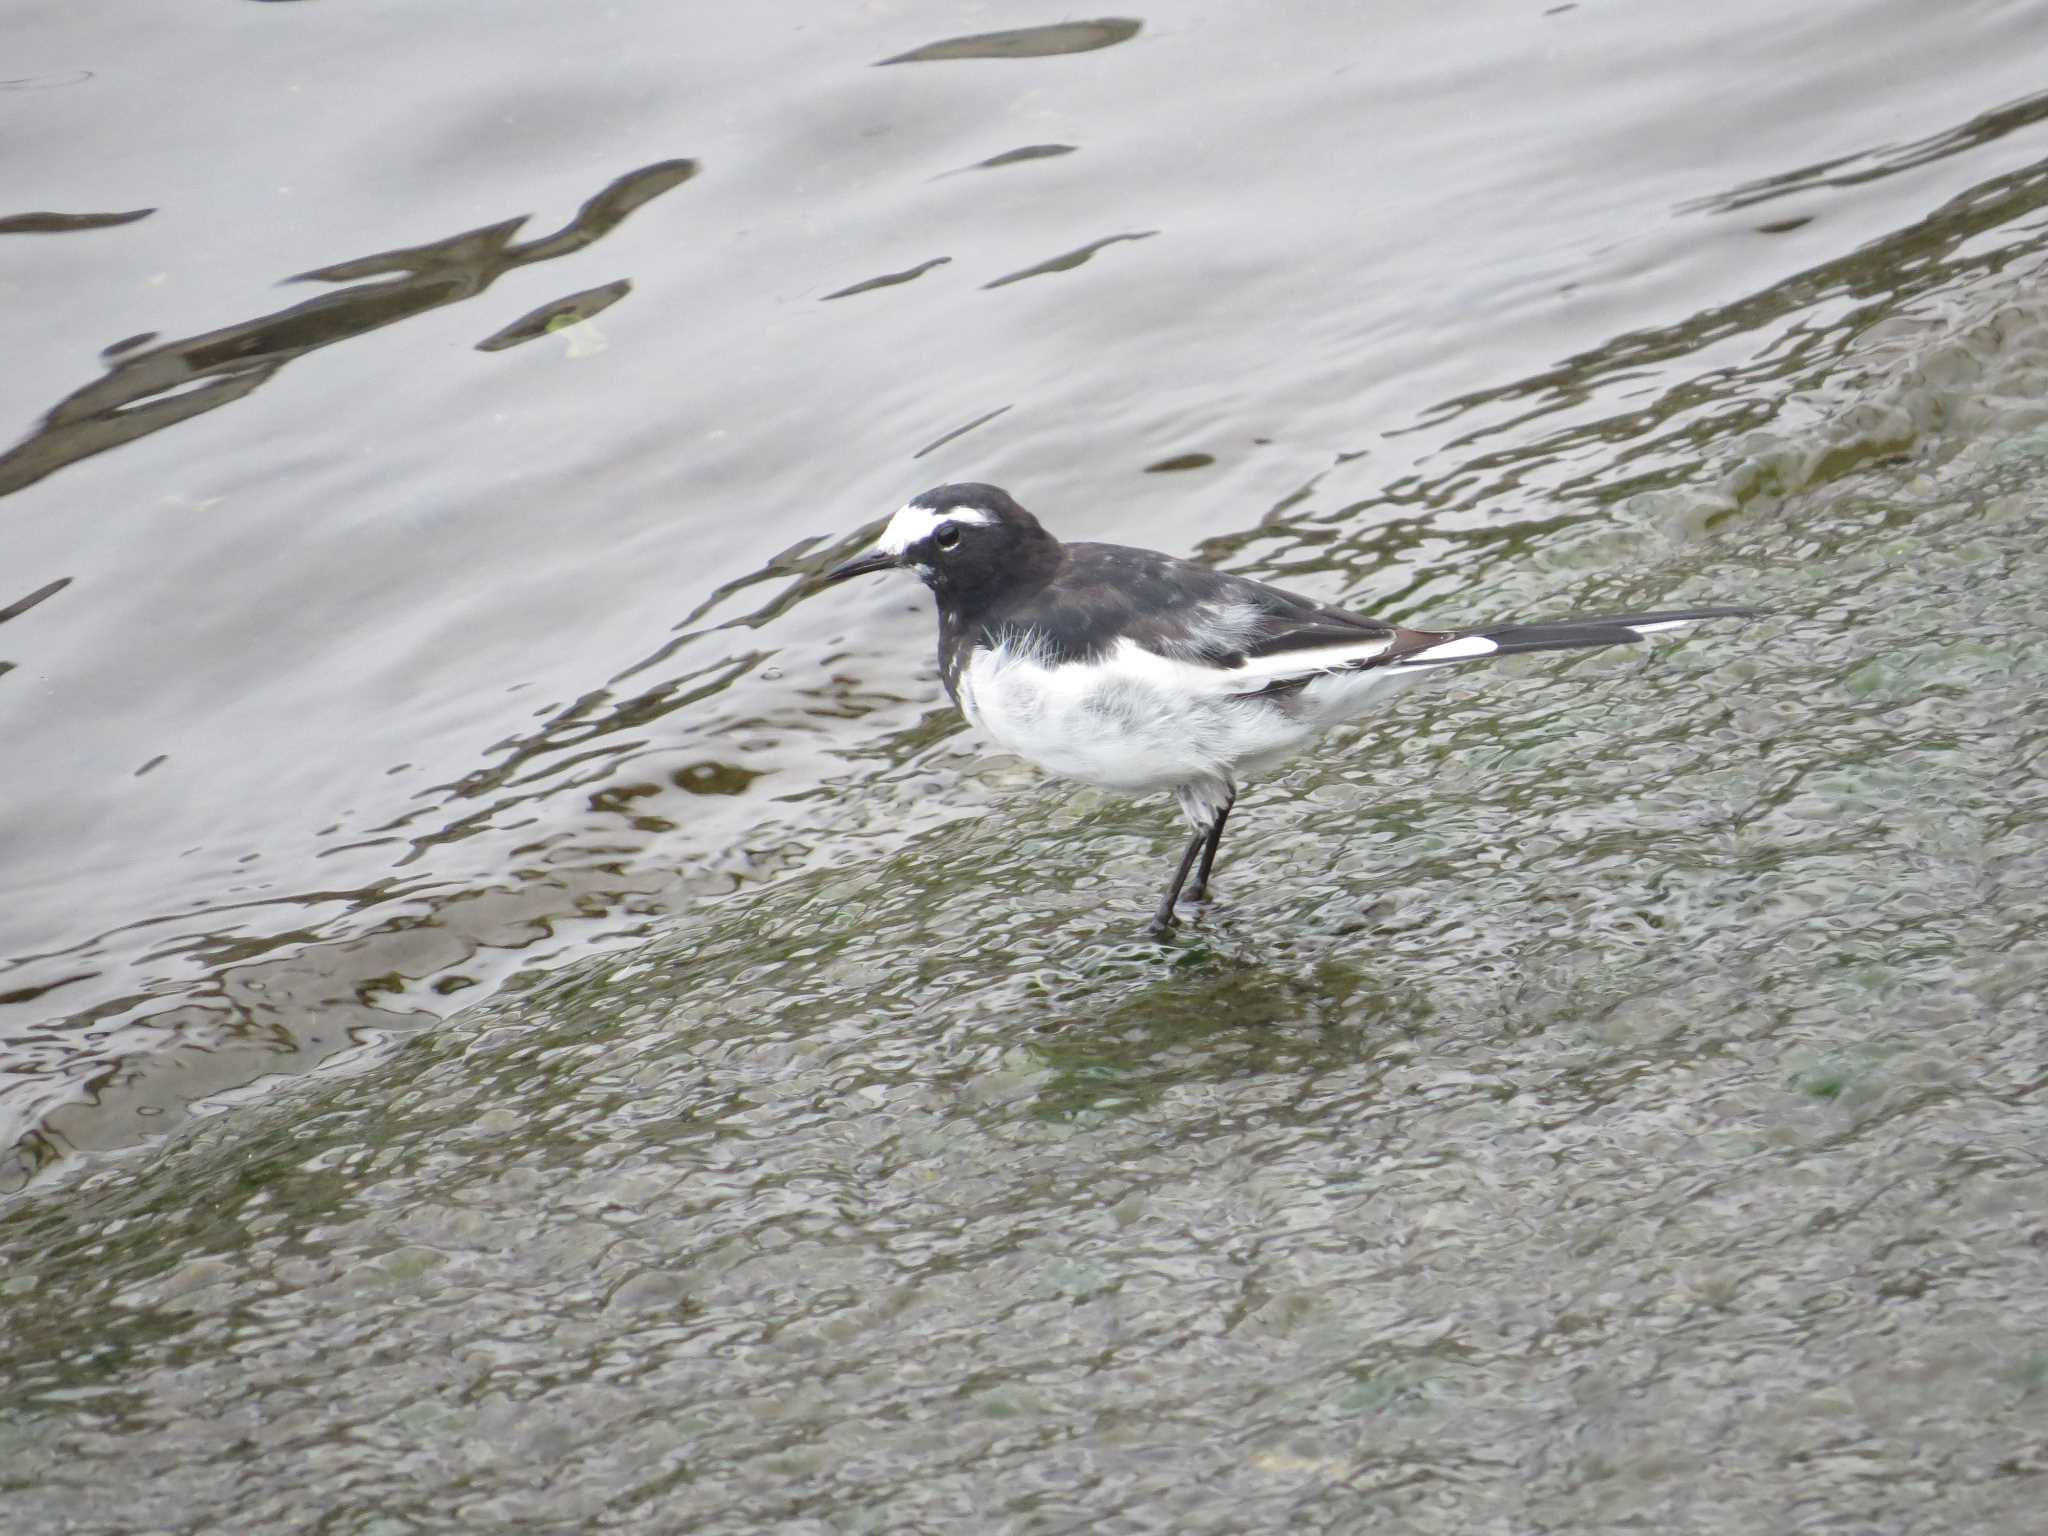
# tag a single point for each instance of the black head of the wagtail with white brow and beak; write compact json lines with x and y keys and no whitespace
{"x":970,"y":544}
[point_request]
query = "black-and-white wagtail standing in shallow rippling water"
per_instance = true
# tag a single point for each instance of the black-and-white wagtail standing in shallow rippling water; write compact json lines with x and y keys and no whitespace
{"x":1140,"y":673}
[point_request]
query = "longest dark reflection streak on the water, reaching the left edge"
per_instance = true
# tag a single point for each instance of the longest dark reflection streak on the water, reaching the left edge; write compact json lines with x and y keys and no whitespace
{"x":173,"y":382}
